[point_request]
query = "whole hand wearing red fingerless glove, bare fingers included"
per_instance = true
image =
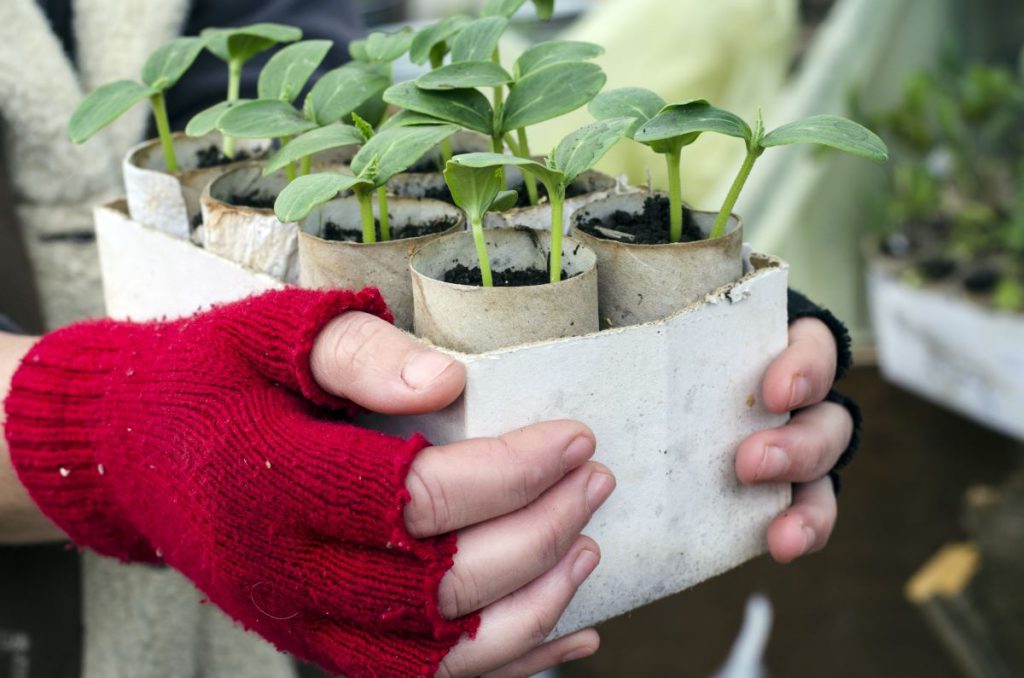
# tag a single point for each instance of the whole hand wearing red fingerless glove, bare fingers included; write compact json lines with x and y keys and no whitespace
{"x":197,"y":443}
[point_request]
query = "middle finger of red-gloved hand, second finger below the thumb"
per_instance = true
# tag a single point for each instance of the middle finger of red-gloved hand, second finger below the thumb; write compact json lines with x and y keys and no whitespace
{"x":500,"y":557}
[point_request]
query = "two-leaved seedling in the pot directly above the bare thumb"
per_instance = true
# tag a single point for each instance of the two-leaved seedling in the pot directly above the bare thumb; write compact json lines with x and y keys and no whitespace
{"x":388,"y":154}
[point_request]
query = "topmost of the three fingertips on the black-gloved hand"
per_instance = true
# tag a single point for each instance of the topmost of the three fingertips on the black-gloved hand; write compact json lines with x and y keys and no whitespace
{"x":805,"y":372}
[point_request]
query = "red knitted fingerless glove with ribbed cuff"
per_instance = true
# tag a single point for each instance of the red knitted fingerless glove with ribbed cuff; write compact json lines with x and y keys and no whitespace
{"x":206,"y":444}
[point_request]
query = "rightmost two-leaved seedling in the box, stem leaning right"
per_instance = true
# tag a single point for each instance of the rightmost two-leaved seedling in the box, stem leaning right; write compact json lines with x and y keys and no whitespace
{"x":679,"y":120}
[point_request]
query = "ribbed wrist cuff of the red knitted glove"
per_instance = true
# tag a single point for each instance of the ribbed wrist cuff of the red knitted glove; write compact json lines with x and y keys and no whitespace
{"x":57,"y":411}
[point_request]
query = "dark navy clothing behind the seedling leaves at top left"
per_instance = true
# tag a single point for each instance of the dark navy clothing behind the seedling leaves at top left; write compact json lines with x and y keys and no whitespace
{"x":205,"y":84}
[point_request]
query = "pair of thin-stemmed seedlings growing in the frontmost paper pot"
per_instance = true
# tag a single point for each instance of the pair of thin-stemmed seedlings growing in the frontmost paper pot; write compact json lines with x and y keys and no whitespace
{"x":575,"y":155}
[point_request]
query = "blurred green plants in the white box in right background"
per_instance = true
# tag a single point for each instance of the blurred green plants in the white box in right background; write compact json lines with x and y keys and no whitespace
{"x":955,"y":210}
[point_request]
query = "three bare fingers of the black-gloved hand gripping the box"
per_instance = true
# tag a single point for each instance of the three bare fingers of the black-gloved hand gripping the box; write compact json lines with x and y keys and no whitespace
{"x":805,"y":450}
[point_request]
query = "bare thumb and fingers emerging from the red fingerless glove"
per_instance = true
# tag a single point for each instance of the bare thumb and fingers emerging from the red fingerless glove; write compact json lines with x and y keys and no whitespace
{"x":519,"y":501}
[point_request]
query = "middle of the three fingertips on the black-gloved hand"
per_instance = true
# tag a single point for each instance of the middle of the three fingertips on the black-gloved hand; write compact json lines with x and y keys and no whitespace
{"x":804,"y":450}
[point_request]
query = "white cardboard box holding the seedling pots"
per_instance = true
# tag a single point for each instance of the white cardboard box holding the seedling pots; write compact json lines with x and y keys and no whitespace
{"x":669,"y":402}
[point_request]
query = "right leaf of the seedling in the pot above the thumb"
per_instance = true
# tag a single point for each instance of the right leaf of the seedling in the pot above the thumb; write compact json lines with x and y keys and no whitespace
{"x":394,"y":151}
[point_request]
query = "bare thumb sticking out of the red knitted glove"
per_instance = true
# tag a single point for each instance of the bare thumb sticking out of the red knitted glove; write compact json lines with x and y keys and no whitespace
{"x":374,"y":364}
